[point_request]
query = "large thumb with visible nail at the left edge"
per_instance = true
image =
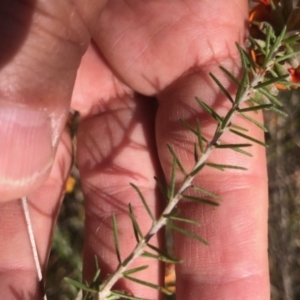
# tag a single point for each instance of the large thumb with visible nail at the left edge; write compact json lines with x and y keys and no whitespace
{"x":42,"y":44}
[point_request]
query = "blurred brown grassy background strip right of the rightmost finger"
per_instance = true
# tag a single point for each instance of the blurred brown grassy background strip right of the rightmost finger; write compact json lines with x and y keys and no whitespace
{"x":284,"y":189}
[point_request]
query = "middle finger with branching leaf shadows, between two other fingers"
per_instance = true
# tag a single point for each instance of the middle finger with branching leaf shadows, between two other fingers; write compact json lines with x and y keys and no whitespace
{"x":116,"y":147}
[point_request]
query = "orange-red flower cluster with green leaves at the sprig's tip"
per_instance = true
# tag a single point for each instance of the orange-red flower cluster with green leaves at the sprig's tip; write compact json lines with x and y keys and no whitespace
{"x":268,"y":18}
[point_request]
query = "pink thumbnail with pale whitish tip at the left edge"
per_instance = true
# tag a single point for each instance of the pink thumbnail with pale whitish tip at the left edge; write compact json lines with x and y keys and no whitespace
{"x":26,"y":151}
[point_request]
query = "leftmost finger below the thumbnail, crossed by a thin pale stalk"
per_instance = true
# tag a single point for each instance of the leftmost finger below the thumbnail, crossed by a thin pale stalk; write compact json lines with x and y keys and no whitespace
{"x":18,"y":276}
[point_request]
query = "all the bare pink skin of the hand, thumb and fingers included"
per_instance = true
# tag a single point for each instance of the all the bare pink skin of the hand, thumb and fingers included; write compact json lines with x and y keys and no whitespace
{"x":140,"y":50}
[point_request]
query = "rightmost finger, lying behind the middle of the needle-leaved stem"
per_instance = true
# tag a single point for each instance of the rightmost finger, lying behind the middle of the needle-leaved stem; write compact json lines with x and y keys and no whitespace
{"x":234,"y":265}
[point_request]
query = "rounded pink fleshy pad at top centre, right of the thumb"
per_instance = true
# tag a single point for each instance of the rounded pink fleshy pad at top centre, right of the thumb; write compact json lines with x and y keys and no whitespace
{"x":149,"y":49}
